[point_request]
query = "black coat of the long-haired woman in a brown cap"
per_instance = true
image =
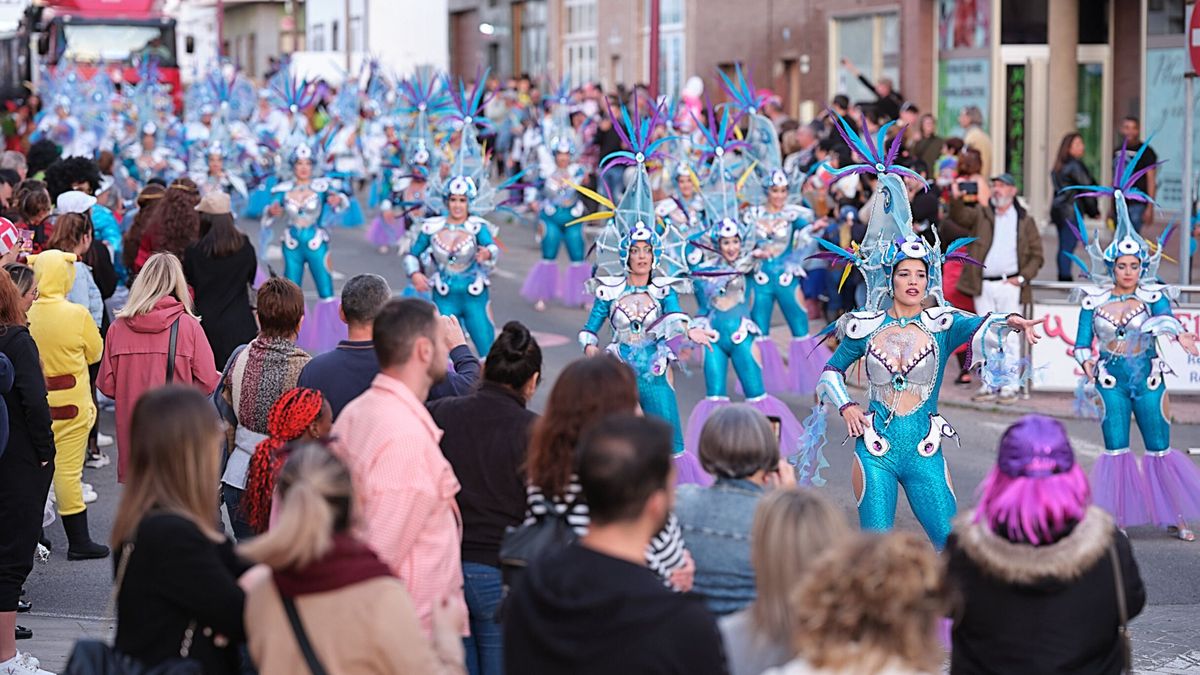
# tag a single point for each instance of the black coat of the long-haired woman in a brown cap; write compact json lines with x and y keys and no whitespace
{"x":221,"y":289}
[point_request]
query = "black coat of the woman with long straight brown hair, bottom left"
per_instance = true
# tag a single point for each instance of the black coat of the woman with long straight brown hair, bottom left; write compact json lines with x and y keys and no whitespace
{"x":178,"y":576}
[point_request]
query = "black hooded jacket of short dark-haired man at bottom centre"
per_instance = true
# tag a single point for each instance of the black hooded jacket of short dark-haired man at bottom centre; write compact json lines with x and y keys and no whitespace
{"x":581,"y":612}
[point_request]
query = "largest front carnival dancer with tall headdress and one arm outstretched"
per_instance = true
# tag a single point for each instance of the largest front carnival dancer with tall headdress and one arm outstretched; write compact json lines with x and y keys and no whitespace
{"x":907,"y":347}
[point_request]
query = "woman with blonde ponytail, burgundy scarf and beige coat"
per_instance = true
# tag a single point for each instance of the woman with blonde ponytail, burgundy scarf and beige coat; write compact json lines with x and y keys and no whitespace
{"x":358,"y":617}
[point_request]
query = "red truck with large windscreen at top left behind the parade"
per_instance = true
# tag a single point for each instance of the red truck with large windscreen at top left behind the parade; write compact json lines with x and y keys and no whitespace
{"x":116,"y":35}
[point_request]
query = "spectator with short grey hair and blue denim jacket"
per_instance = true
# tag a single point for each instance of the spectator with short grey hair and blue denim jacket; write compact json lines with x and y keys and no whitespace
{"x":739,"y":447}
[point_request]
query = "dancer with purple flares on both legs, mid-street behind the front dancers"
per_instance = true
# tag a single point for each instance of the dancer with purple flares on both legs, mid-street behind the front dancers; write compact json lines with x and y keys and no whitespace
{"x":561,"y":211}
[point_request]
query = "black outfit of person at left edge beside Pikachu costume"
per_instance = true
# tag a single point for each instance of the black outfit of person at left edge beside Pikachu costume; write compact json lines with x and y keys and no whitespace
{"x":25,"y":482}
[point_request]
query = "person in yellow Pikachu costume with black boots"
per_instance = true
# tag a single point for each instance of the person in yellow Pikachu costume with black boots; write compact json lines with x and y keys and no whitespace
{"x":68,"y":341}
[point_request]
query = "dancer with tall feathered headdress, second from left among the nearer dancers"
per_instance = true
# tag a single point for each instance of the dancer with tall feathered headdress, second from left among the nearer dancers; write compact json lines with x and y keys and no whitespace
{"x":463,"y":242}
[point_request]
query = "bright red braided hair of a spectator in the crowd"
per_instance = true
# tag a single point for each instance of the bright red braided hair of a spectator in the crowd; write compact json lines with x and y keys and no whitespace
{"x":299,"y":414}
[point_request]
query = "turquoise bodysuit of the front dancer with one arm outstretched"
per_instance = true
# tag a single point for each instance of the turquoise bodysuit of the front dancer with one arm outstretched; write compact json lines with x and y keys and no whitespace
{"x":905,"y":360}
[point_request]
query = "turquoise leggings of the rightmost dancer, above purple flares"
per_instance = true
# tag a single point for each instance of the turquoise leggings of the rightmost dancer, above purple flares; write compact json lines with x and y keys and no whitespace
{"x":1132,"y":395}
